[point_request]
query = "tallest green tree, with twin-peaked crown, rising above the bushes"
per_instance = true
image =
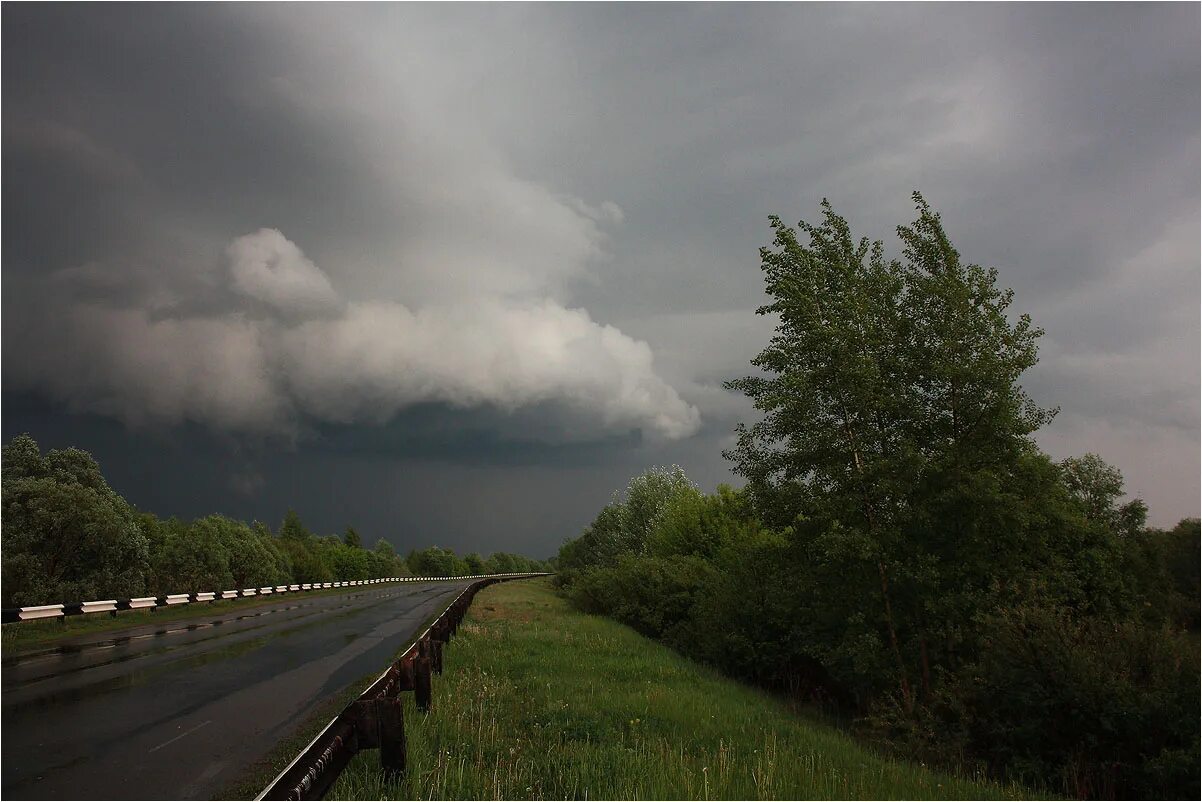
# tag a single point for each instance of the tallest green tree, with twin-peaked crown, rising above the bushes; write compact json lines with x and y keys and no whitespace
{"x":892,"y":421}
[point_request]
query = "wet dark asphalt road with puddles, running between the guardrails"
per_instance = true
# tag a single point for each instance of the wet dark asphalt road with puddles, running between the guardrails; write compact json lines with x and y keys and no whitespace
{"x":181,"y":710}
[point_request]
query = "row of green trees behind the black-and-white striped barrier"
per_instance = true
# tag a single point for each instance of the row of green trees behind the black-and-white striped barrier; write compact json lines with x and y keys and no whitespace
{"x":69,"y":537}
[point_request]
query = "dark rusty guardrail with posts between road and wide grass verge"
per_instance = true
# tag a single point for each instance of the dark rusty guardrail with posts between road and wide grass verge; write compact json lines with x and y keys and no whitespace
{"x":376,"y":721}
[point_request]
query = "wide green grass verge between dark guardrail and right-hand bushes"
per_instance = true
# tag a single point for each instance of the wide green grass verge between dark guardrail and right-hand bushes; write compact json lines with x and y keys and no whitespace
{"x":540,"y":702}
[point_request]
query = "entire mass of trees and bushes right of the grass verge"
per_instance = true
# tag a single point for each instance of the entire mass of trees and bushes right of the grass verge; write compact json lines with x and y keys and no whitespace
{"x":905,"y":553}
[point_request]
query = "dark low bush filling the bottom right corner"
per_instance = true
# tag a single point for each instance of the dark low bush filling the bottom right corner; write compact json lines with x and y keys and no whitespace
{"x":1090,"y":708}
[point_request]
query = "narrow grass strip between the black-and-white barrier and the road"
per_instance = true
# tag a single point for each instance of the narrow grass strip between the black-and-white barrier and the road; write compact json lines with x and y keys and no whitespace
{"x":50,"y":631}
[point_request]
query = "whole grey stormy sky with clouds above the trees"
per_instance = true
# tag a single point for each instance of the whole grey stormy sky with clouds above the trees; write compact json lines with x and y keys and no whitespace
{"x":455,"y":274}
